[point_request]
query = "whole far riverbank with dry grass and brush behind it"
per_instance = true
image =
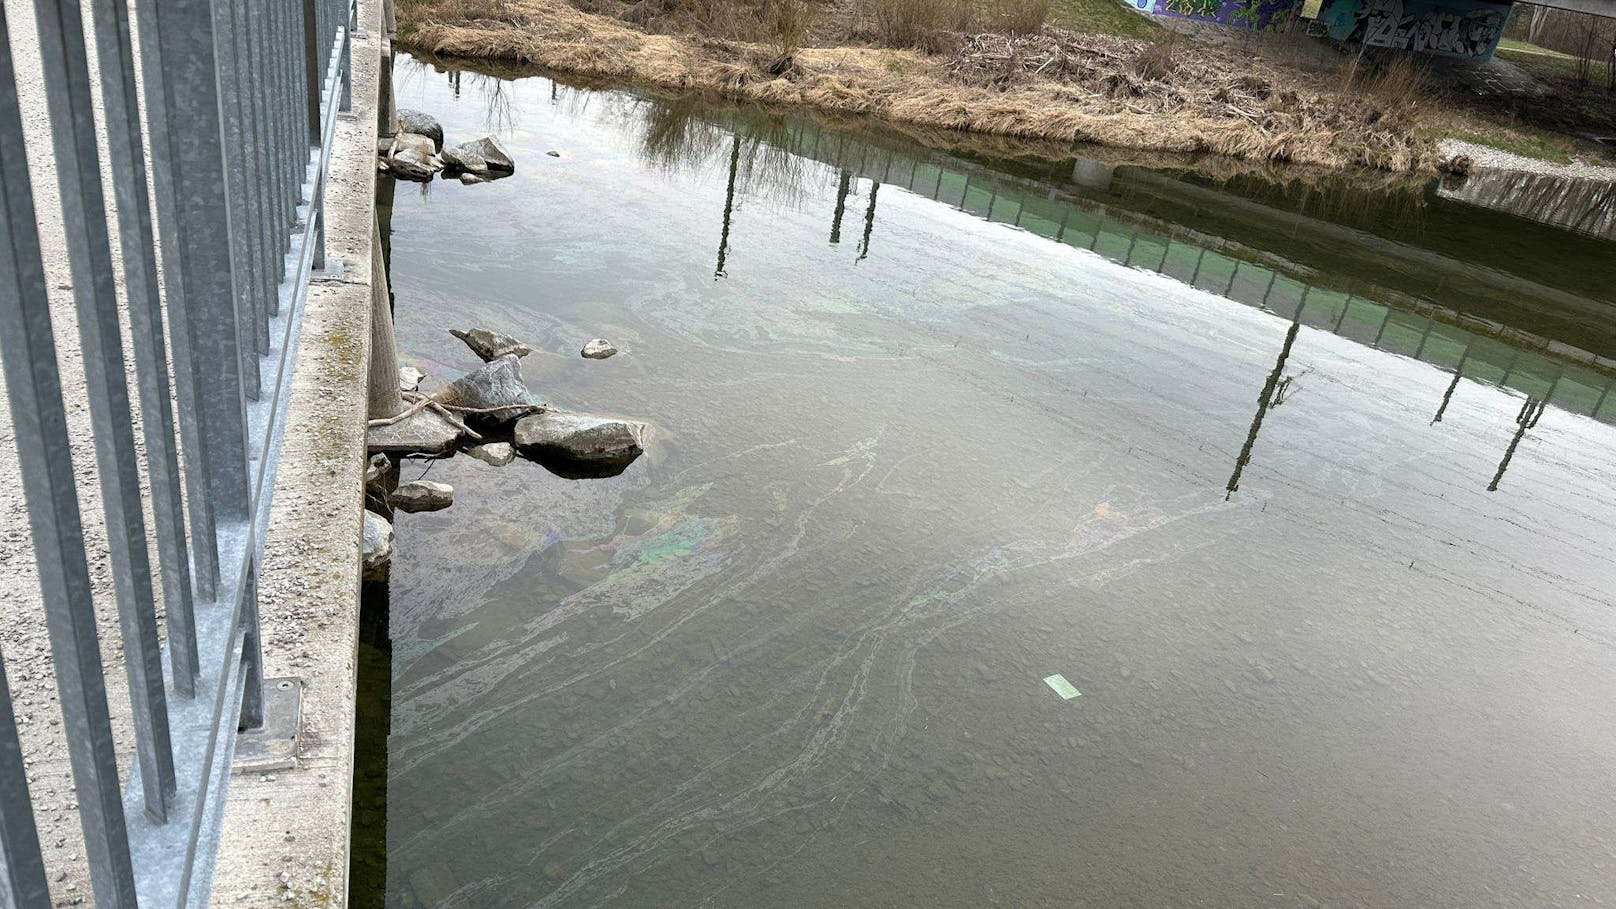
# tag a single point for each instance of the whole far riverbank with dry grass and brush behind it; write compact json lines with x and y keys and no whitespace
{"x":974,"y":66}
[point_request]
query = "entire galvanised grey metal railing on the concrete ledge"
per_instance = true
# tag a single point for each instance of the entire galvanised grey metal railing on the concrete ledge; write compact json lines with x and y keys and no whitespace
{"x":242,"y":103}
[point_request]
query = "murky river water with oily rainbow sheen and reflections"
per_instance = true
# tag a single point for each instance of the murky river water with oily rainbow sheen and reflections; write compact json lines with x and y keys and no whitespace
{"x":1307,"y":489}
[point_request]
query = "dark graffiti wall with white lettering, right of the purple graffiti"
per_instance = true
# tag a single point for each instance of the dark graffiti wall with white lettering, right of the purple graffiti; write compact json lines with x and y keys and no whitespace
{"x":1452,"y":28}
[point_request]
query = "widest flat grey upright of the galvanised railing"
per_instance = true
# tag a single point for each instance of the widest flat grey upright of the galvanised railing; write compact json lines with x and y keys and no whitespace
{"x":204,"y":229}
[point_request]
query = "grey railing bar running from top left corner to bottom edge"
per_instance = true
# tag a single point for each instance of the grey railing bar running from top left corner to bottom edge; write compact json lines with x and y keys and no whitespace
{"x":28,"y":353}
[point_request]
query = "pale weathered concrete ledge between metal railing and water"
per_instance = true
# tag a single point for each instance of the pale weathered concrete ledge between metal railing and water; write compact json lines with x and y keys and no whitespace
{"x":285,"y":837}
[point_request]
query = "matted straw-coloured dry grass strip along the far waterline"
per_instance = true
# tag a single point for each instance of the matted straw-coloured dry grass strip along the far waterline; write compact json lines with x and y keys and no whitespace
{"x":1056,"y":87}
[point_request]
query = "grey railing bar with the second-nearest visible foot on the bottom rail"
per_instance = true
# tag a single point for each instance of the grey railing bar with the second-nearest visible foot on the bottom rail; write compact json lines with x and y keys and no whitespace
{"x":127,"y":161}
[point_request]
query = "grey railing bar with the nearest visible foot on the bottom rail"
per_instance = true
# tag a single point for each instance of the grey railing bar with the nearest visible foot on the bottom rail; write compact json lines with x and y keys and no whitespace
{"x":65,"y":72}
